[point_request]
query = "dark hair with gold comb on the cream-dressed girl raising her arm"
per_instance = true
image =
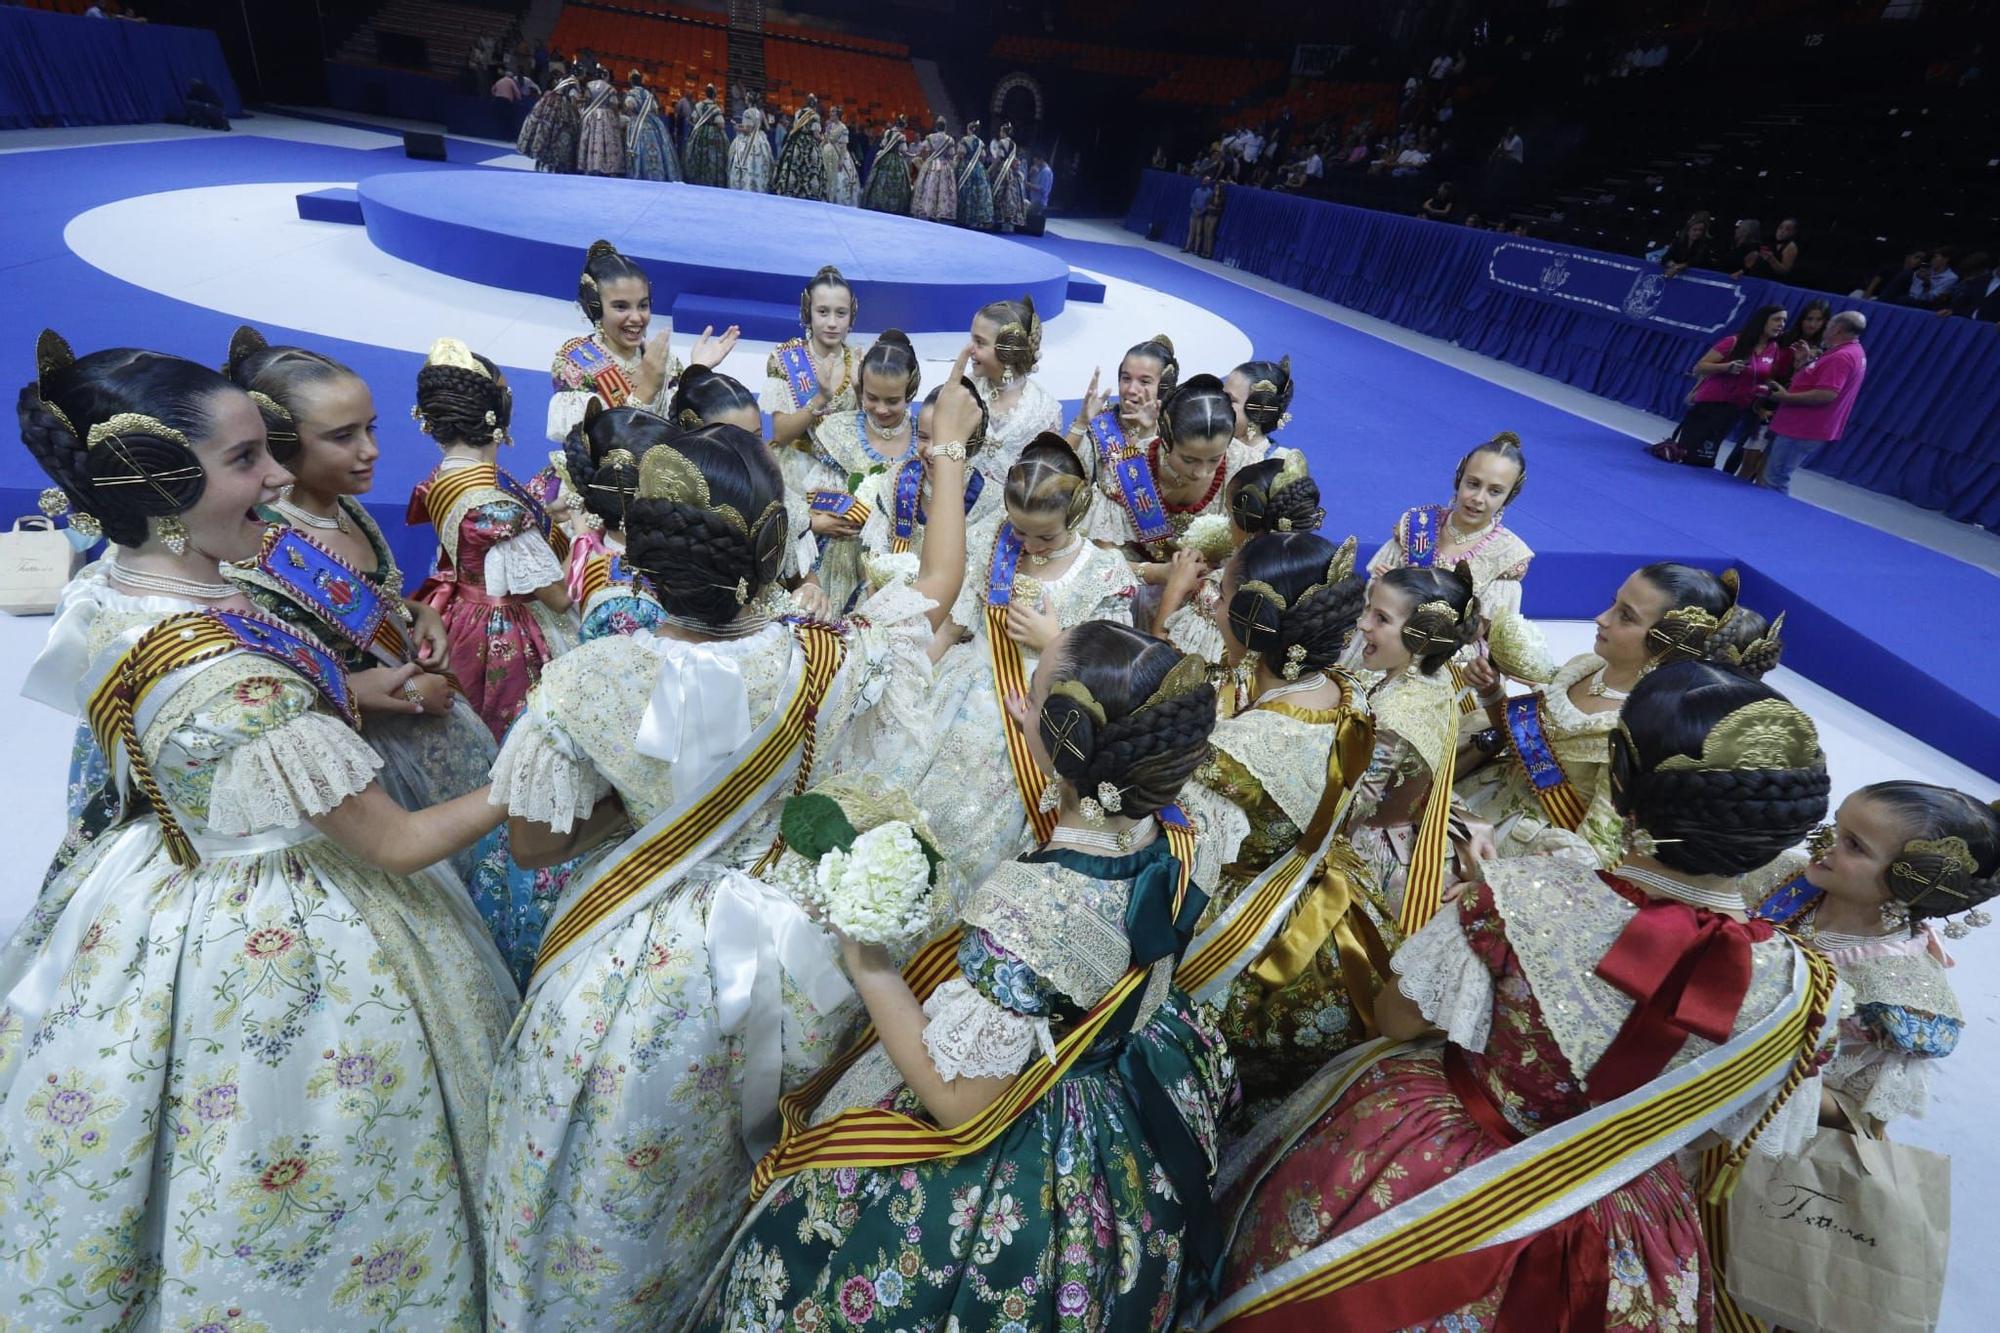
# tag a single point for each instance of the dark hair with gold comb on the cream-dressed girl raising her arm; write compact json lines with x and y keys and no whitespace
{"x":709,"y":559}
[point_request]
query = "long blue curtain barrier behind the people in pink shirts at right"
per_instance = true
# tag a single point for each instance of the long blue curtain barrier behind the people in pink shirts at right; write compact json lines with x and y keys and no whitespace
{"x":1925,"y":429}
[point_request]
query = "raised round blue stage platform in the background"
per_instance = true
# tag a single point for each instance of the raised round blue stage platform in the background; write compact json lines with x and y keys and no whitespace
{"x":715,"y":257}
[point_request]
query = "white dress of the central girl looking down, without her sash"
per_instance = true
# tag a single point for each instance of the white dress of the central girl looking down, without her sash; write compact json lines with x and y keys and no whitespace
{"x":963,"y":774}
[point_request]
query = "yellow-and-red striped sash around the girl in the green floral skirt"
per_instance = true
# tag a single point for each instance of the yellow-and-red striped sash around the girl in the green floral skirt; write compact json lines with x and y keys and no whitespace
{"x":875,"y":1138}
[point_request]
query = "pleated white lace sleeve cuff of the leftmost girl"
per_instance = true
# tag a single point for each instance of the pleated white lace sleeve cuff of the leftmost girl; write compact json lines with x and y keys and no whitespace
{"x":287,"y":776}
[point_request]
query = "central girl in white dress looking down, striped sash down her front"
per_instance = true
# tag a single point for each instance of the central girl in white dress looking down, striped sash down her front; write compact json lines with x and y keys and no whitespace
{"x":1033,"y":577}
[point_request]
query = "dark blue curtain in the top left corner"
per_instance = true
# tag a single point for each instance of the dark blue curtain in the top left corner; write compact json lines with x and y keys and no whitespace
{"x":65,"y":69}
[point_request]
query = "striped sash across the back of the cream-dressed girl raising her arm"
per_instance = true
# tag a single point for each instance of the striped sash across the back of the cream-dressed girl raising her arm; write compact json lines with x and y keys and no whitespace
{"x":639,"y":868}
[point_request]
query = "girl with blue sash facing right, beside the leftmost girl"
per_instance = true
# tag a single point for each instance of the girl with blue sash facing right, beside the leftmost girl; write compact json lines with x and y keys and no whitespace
{"x":329,"y":569}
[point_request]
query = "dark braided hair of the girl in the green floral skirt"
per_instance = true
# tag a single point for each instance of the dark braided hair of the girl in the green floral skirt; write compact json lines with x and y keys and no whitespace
{"x":1127,"y":712}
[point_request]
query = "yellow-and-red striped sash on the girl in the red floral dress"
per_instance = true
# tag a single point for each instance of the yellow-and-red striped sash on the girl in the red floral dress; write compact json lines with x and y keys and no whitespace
{"x":1553,"y":1166}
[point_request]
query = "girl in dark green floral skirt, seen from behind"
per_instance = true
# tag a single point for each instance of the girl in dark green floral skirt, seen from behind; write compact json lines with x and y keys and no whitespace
{"x":1091,"y":1206}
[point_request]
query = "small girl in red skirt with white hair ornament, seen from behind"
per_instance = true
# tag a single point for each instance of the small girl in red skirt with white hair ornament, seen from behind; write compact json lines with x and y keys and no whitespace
{"x":499,"y":585}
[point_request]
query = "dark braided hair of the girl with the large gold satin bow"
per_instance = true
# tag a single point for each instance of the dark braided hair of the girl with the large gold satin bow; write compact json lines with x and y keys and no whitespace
{"x":1295,"y":599}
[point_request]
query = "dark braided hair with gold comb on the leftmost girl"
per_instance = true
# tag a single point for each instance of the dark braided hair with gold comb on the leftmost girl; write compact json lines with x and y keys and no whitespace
{"x":135,"y":473}
